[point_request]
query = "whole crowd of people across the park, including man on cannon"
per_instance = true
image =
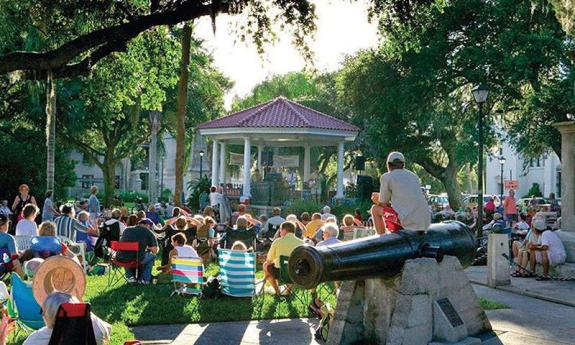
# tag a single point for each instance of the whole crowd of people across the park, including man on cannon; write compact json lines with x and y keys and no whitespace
{"x":169,"y":231}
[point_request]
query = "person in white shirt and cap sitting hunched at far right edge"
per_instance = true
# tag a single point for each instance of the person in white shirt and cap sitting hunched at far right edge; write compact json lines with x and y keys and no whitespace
{"x":550,"y":252}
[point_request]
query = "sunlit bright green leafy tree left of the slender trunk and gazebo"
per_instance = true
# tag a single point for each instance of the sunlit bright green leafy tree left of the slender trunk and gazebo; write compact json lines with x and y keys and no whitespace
{"x":105,"y":115}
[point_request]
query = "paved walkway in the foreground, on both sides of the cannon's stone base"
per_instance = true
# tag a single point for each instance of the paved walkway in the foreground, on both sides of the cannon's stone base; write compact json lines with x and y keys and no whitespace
{"x":531,"y":319}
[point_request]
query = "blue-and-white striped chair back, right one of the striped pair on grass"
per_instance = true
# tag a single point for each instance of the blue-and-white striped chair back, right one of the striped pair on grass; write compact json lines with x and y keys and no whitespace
{"x":237,"y":273}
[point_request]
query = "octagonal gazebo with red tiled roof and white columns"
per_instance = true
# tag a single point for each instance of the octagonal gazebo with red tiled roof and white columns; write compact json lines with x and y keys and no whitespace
{"x":276,"y":123}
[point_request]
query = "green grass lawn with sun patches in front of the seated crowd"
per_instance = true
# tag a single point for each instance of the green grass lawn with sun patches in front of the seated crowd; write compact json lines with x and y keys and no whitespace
{"x":135,"y":305}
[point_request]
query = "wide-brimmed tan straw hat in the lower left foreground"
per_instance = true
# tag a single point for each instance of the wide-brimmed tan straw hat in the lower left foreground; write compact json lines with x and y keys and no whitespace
{"x":58,"y":273}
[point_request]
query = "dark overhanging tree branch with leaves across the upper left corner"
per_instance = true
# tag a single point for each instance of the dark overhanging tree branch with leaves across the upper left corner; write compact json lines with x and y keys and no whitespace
{"x":98,"y":28}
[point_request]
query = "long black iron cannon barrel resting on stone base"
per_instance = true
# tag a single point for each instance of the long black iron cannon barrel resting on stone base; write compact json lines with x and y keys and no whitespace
{"x":380,"y":256}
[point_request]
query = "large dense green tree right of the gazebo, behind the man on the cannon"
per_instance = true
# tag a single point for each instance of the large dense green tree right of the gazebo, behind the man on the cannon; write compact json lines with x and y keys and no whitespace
{"x":414,"y":91}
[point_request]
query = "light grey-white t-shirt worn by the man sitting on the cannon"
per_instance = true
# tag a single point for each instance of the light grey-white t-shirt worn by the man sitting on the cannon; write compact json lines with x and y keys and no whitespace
{"x":402,"y":189}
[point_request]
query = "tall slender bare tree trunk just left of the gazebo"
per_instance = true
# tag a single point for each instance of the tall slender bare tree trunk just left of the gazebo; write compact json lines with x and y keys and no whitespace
{"x":181,"y":114}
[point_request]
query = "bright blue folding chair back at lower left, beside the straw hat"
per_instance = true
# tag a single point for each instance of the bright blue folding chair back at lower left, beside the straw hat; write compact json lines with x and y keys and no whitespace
{"x":23,"y":306}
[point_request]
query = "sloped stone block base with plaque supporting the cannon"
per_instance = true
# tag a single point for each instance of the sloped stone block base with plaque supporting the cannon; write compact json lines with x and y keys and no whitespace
{"x":428,"y":302}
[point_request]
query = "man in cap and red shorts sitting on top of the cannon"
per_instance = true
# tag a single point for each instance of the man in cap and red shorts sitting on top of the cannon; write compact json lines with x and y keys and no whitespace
{"x":400,"y":189}
